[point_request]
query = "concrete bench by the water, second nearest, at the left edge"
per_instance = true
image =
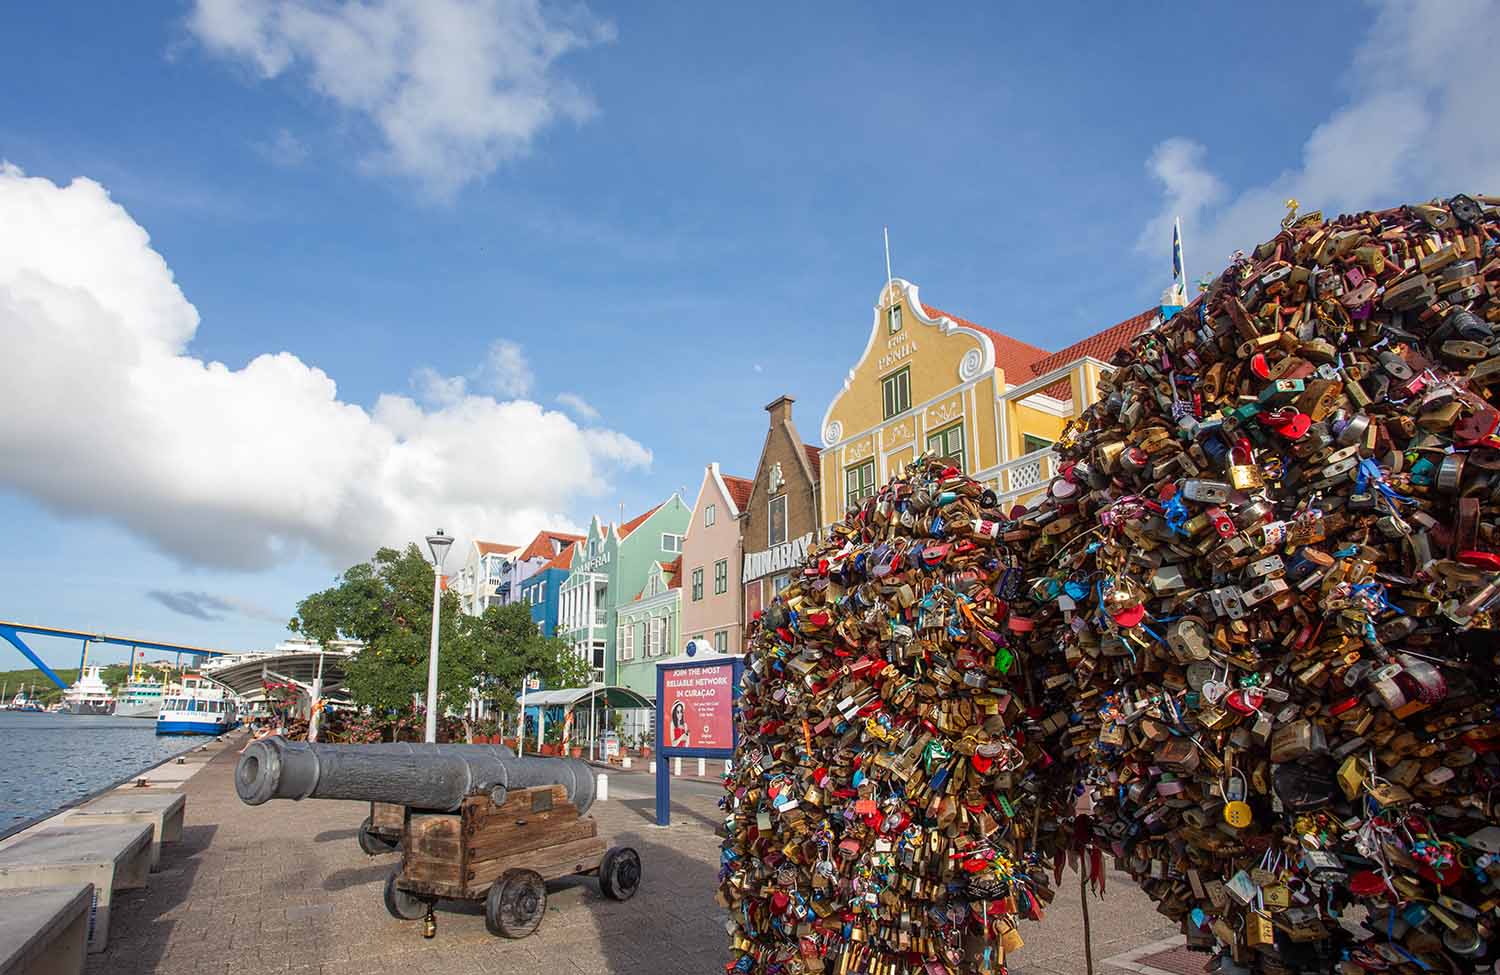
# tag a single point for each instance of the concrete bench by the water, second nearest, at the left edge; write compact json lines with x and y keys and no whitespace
{"x":113,"y":859}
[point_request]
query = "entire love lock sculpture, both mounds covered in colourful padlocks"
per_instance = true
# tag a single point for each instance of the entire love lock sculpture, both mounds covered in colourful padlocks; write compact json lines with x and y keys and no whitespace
{"x":1244,"y":643}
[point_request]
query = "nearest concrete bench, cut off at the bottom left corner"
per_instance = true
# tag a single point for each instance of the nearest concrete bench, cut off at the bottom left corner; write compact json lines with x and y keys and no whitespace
{"x":44,"y":931}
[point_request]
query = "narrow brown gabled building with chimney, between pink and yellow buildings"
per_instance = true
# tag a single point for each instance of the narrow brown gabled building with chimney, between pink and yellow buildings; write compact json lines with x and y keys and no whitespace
{"x":781,"y":518}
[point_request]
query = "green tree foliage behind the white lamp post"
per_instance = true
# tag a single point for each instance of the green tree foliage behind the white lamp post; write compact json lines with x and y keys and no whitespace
{"x":386,"y":604}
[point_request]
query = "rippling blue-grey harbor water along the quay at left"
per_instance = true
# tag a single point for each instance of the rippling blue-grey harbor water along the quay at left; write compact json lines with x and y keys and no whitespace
{"x":49,"y":761}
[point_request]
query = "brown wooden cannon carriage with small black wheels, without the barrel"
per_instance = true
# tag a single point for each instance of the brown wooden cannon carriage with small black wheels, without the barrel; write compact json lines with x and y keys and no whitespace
{"x":503,"y":856}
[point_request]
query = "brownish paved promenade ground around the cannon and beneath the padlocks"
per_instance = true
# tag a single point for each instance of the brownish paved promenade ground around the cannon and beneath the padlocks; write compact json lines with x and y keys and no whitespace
{"x":284,"y":889}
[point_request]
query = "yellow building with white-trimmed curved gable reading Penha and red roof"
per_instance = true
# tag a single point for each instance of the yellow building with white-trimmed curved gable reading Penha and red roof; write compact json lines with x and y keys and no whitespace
{"x":932,"y":382}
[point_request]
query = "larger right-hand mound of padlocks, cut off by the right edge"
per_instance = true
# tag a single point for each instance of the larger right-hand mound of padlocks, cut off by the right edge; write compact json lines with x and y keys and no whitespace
{"x":1268,"y":569}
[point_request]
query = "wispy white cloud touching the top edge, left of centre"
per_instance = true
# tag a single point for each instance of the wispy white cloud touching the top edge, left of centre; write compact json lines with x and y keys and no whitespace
{"x":455,"y":88}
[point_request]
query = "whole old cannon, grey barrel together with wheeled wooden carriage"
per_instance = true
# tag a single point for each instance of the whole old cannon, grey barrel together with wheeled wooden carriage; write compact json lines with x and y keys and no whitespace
{"x":473,"y":823}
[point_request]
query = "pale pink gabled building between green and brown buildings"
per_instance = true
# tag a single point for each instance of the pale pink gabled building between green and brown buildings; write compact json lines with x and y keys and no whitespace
{"x":712,"y":605}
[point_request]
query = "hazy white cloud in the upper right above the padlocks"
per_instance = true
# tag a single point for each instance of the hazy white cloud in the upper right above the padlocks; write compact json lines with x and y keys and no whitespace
{"x":1421,"y":122}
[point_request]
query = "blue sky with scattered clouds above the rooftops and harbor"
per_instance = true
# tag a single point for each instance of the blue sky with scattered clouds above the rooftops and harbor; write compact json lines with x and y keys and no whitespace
{"x":670,"y":212}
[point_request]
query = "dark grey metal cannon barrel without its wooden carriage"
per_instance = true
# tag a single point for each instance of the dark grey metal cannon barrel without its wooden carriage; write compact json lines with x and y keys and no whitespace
{"x":421,"y":776}
